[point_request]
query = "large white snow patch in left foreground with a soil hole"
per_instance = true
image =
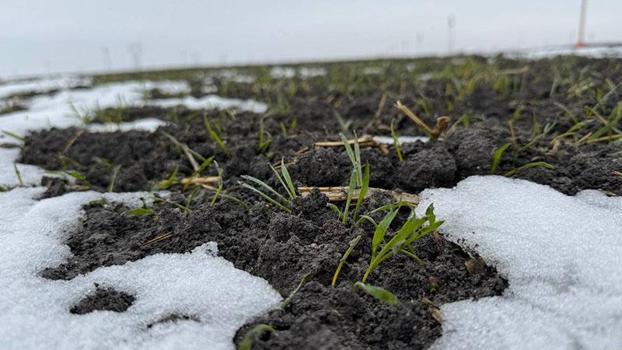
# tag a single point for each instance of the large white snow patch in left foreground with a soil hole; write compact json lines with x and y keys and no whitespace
{"x":34,"y":312}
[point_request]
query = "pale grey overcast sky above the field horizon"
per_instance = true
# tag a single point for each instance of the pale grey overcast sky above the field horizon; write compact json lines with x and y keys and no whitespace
{"x":41,"y":36}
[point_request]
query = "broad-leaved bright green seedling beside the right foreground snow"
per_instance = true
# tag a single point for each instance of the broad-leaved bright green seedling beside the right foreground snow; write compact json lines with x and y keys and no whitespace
{"x":401,"y":242}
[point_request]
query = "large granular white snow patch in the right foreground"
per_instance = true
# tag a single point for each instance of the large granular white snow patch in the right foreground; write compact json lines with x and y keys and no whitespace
{"x":561,"y":255}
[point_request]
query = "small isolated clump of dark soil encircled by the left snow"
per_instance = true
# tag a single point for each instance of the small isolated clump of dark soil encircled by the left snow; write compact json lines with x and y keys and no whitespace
{"x":104,"y":299}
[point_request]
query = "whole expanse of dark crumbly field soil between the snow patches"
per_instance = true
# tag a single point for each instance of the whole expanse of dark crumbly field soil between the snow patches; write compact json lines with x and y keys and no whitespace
{"x":529,"y":109}
